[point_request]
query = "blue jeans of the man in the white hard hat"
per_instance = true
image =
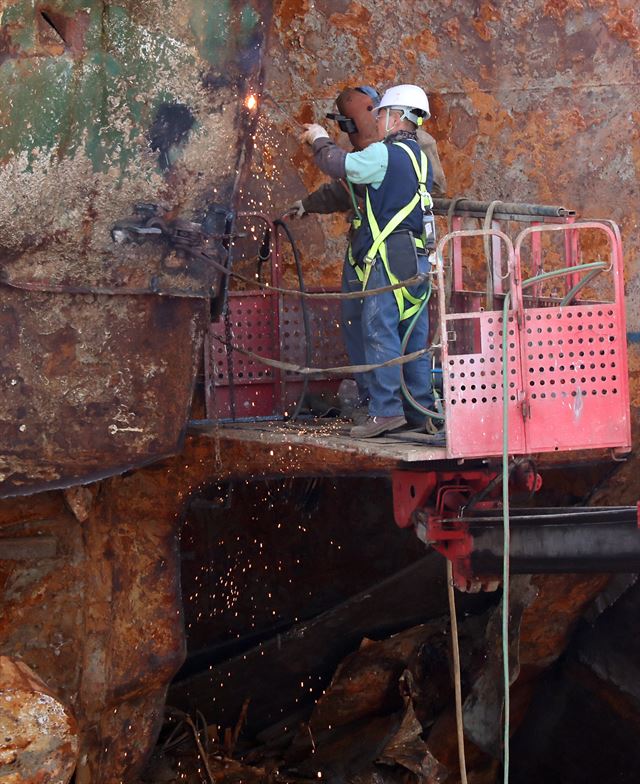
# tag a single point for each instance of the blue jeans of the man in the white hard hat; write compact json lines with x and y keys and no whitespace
{"x":382,"y":334}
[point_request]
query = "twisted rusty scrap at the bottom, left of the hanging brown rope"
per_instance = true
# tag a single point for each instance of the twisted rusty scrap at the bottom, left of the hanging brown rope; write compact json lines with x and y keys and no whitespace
{"x":369,"y":725}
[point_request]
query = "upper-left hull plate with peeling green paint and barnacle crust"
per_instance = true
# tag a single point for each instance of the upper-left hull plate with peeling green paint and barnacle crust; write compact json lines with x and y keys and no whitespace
{"x":104,"y":105}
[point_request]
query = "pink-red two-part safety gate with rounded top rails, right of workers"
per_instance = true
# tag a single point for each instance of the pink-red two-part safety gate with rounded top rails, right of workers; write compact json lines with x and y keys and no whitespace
{"x":566,"y":364}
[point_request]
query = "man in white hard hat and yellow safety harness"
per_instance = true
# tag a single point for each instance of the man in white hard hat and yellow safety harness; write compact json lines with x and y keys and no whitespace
{"x":390,"y":246}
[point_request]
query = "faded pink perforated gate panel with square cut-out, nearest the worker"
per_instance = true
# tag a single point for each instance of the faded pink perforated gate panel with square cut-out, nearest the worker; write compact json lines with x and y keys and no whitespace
{"x":473,"y":386}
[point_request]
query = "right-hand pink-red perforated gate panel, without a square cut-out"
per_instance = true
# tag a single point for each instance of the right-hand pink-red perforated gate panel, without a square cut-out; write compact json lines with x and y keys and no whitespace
{"x":573,"y":378}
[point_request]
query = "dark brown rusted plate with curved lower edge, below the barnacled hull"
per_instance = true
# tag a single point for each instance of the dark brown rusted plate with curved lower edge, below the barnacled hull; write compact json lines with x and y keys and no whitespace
{"x":92,"y":385}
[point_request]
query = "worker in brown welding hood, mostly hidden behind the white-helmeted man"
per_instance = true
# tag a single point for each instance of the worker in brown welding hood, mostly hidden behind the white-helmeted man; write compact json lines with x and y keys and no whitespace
{"x":356,"y":116}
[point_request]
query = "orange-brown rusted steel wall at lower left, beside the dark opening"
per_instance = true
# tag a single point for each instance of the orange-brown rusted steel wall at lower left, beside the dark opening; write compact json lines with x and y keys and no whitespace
{"x":99,"y":618}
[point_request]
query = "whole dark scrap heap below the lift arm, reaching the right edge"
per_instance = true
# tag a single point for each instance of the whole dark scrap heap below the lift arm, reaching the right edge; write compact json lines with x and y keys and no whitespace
{"x":385,"y":712}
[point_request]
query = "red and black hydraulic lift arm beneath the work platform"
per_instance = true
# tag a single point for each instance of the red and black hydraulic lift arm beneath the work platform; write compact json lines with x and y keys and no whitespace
{"x":447,"y":516}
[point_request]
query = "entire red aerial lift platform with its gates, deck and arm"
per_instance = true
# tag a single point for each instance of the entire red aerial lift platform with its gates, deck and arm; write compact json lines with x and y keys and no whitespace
{"x":529,"y":341}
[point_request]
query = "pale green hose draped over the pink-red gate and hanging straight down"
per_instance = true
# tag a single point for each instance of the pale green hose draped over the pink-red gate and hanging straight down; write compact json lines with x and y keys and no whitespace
{"x":591,"y":268}
